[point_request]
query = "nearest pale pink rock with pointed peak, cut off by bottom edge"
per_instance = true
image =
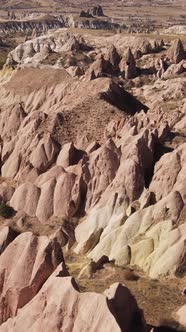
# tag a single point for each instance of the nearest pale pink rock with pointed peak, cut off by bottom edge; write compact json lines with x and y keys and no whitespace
{"x":60,"y":307}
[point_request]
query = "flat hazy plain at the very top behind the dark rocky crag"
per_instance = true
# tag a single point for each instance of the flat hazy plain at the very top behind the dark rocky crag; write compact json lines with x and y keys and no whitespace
{"x":135,"y":13}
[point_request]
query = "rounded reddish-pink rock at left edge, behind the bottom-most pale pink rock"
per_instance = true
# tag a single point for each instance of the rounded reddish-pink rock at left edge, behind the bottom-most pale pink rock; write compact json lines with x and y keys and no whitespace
{"x":24,"y":266}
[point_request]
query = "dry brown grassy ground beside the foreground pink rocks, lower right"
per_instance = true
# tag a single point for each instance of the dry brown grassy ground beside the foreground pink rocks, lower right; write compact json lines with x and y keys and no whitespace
{"x":161,"y":297}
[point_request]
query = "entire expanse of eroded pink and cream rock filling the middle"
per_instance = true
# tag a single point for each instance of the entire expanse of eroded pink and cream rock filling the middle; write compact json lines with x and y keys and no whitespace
{"x":62,"y":162}
